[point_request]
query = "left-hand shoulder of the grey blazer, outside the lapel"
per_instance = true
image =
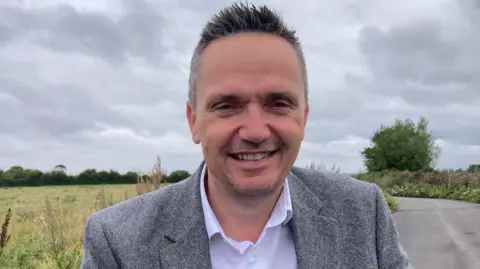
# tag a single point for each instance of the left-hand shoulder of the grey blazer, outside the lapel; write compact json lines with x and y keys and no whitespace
{"x":134,"y":230}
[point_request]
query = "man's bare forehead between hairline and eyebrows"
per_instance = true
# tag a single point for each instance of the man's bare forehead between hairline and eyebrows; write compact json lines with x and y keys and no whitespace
{"x":249,"y":64}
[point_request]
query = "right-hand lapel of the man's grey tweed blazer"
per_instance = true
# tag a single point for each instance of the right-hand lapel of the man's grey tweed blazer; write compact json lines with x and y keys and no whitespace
{"x":315,"y":233}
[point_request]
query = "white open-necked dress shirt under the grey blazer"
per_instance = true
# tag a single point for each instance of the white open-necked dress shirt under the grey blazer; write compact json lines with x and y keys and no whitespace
{"x":273,"y":249}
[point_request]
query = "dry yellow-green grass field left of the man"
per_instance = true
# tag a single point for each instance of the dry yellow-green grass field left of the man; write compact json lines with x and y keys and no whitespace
{"x":47,"y":223}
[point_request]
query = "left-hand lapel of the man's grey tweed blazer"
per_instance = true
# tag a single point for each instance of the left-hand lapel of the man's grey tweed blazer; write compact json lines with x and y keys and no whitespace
{"x":189,"y":247}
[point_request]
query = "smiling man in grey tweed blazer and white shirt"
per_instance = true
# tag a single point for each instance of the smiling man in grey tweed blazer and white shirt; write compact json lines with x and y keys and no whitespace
{"x":246,"y":206}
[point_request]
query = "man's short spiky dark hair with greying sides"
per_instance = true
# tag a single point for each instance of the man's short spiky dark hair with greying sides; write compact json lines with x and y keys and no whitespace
{"x":243,"y":18}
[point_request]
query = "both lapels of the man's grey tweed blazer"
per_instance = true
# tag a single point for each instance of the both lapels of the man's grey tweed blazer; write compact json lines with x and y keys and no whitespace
{"x":315,"y":233}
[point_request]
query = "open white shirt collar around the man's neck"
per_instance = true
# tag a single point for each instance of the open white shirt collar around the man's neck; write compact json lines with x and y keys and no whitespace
{"x":281,"y":214}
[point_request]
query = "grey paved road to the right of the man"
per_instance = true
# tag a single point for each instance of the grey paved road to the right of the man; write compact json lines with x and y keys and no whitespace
{"x":440,"y":234}
